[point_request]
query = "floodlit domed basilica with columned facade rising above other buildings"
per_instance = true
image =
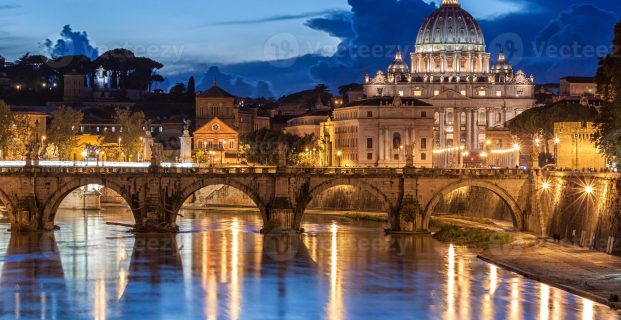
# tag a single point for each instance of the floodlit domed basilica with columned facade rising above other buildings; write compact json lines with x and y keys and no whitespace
{"x":450,"y":69}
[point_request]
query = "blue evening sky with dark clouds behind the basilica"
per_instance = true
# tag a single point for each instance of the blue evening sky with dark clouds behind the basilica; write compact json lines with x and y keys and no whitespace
{"x":326,"y":41}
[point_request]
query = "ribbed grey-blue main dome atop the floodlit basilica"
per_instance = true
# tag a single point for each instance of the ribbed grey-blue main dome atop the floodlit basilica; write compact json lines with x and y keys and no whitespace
{"x":450,"y":28}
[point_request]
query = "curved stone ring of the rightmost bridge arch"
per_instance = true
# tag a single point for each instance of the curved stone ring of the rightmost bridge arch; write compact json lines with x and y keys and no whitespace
{"x":514,"y":208}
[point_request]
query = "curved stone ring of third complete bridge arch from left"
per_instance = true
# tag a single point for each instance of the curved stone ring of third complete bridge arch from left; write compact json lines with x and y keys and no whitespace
{"x":304,"y":199}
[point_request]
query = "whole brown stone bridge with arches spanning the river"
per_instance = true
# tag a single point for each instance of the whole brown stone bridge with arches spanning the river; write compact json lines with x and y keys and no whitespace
{"x":32,"y":195}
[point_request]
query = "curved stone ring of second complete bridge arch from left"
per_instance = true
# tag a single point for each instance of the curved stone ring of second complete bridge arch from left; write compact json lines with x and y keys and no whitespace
{"x":189,"y":190}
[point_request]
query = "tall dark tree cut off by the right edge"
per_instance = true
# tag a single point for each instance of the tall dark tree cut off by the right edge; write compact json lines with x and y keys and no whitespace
{"x":608,"y":79}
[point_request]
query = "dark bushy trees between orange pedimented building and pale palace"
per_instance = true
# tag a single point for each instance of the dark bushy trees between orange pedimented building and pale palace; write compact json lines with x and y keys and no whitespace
{"x":262,"y":147}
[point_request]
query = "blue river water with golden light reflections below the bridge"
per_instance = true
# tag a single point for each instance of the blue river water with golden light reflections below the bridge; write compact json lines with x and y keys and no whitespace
{"x":220,"y":267}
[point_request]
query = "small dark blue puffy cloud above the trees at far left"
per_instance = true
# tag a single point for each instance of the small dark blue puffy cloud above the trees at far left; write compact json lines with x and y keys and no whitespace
{"x":71,"y":43}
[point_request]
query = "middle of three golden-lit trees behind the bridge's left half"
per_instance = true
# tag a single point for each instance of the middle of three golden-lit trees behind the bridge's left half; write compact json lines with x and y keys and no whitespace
{"x":63,"y":131}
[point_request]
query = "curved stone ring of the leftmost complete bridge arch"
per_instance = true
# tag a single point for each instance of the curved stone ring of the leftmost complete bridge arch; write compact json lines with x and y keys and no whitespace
{"x":56,"y":198}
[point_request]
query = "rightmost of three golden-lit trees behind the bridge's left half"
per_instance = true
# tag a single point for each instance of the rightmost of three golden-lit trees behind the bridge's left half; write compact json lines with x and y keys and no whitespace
{"x":130,"y":128}
